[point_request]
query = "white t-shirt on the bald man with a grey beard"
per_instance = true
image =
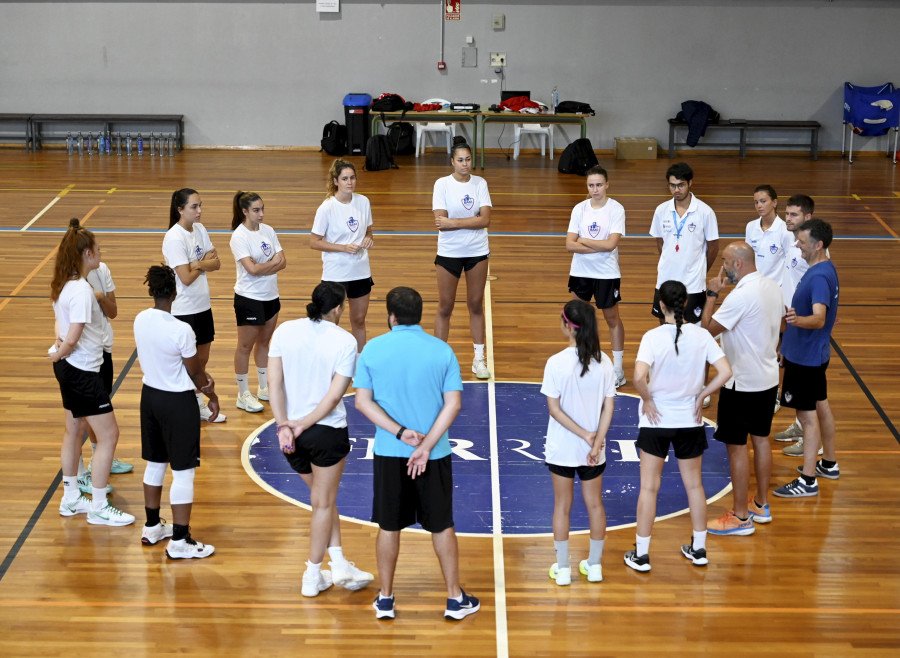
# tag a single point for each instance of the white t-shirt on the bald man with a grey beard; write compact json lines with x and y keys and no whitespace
{"x":751,"y":314}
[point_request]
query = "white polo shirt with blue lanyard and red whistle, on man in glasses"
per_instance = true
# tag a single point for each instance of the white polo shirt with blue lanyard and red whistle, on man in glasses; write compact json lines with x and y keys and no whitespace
{"x":684,"y":259}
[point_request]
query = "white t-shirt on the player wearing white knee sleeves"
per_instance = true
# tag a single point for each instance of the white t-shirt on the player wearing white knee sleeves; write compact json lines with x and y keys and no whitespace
{"x":162,"y":341}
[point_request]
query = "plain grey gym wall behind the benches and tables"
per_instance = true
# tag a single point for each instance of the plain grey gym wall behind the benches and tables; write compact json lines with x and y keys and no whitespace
{"x":272,"y":74}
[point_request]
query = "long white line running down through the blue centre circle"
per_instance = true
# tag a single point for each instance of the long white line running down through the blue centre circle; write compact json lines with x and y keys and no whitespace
{"x":496,"y":520}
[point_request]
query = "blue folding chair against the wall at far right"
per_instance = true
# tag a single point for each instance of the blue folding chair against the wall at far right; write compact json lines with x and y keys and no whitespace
{"x":871,"y":112}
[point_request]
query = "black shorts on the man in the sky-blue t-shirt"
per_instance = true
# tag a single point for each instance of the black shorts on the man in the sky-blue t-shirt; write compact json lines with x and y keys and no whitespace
{"x":400,"y":500}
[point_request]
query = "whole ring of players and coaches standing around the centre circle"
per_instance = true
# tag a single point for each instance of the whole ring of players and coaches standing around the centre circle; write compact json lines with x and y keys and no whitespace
{"x":409,"y":383}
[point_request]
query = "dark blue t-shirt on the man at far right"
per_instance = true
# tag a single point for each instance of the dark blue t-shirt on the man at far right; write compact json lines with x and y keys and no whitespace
{"x":811,"y":347}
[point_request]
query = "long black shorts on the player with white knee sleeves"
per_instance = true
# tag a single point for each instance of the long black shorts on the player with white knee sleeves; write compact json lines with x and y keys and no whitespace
{"x":170,"y":428}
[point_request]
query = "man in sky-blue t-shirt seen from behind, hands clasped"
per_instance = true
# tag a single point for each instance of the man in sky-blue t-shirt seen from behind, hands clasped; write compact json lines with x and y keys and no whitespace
{"x":408,"y":383}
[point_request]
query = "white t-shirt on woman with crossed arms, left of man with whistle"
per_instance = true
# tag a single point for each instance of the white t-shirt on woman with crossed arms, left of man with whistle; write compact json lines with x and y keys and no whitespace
{"x":597,"y":224}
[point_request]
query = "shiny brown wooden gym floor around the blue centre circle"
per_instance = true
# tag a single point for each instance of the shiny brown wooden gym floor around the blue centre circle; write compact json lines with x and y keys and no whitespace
{"x":822,"y":580}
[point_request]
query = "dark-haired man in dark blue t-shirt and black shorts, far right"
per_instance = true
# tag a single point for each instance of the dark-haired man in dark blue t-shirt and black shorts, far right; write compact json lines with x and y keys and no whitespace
{"x":805,"y":351}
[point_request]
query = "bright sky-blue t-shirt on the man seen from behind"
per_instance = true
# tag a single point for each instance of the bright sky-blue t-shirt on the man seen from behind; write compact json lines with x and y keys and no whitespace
{"x":408,"y":372}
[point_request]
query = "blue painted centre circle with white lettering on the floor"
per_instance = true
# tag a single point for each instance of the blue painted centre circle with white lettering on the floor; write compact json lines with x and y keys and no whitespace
{"x":526,"y":493}
